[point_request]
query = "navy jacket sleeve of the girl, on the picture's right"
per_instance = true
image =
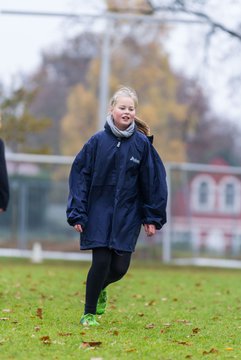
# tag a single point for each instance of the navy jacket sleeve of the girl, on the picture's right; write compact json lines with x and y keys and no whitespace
{"x":153,"y":188}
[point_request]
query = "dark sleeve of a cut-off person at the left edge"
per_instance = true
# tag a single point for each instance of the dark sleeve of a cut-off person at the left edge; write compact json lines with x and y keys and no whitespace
{"x":4,"y":185}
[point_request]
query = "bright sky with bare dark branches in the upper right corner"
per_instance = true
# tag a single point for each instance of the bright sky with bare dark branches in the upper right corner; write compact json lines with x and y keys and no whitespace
{"x":214,"y":46}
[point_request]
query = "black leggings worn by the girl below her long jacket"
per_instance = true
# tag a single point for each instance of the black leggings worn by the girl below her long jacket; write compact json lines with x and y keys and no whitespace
{"x":107,"y":267}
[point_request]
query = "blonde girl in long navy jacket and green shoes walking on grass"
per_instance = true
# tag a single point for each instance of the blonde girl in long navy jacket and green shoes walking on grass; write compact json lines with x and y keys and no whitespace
{"x":117,"y":183}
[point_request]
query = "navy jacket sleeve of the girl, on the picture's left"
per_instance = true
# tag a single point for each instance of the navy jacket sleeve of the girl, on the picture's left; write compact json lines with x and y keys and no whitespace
{"x":79,"y":185}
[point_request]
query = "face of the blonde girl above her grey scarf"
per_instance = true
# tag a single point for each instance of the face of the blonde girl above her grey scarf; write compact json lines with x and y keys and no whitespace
{"x":123,"y":112}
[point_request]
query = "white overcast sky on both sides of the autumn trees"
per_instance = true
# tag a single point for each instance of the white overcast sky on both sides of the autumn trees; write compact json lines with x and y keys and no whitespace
{"x":23,"y":38}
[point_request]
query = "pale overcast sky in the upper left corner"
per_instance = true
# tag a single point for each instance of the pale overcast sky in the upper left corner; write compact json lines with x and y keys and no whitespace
{"x":22,"y":38}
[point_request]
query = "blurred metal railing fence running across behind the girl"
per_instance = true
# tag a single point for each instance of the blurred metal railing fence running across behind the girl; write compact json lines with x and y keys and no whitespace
{"x":36,"y":215}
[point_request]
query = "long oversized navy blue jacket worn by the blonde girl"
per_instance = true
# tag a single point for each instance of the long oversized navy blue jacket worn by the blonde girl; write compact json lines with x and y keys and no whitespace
{"x":115,"y":186}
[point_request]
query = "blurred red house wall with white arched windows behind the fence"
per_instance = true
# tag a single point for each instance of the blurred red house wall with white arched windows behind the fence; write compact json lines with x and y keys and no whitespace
{"x":206,"y":212}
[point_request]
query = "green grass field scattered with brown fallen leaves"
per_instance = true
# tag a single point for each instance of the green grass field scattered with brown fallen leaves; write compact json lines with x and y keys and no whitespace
{"x":153,"y":313}
